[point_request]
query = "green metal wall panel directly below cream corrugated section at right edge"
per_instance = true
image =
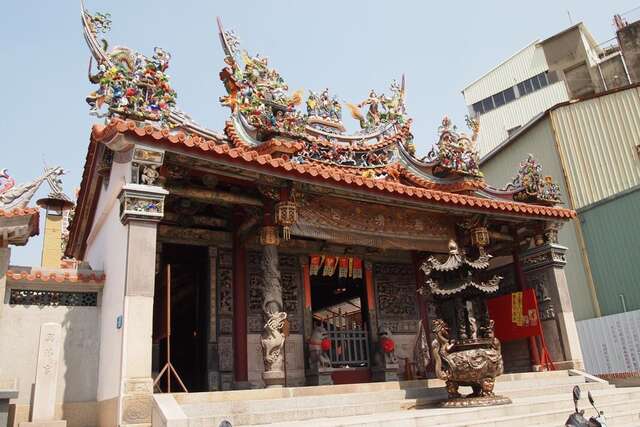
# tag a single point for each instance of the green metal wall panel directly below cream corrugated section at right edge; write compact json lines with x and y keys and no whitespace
{"x":612,"y":237}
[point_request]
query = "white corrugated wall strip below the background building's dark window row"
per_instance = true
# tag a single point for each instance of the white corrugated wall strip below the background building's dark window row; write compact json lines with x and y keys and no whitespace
{"x":495,"y":123}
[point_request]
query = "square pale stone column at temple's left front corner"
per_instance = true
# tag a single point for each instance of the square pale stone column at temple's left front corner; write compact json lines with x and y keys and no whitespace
{"x":141,"y":208}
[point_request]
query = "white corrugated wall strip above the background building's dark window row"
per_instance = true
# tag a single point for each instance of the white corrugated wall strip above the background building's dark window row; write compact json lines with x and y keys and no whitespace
{"x":523,"y":65}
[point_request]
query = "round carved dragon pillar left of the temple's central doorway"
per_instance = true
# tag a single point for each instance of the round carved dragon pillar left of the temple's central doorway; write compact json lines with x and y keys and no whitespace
{"x":273,"y":336}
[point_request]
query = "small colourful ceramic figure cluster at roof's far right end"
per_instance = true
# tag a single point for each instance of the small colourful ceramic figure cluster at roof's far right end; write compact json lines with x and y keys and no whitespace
{"x":531,"y":185}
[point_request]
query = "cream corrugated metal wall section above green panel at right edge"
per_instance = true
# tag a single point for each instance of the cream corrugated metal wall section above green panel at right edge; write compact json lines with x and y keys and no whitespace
{"x":598,"y":139}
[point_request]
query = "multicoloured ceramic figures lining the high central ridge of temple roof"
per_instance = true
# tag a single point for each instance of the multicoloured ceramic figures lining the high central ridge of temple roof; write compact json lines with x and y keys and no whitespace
{"x":261,"y":97}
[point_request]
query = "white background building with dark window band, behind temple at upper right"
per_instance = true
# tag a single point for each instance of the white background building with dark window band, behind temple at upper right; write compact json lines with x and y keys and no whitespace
{"x":567,"y":65}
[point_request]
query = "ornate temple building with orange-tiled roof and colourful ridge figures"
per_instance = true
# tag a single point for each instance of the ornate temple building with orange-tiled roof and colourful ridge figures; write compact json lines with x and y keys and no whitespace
{"x":279,"y":251}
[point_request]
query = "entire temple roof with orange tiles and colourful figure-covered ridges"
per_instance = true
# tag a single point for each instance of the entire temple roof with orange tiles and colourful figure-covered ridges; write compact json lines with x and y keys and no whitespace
{"x":268,"y":133}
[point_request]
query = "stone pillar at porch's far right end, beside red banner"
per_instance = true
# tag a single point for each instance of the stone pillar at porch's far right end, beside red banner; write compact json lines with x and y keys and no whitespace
{"x":544,"y":269}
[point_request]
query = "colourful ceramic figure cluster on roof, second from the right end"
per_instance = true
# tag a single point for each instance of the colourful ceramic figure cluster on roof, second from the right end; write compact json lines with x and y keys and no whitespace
{"x":455,"y":153}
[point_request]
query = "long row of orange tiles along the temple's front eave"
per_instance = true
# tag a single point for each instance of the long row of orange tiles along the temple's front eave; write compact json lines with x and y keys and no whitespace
{"x":338,"y":174}
